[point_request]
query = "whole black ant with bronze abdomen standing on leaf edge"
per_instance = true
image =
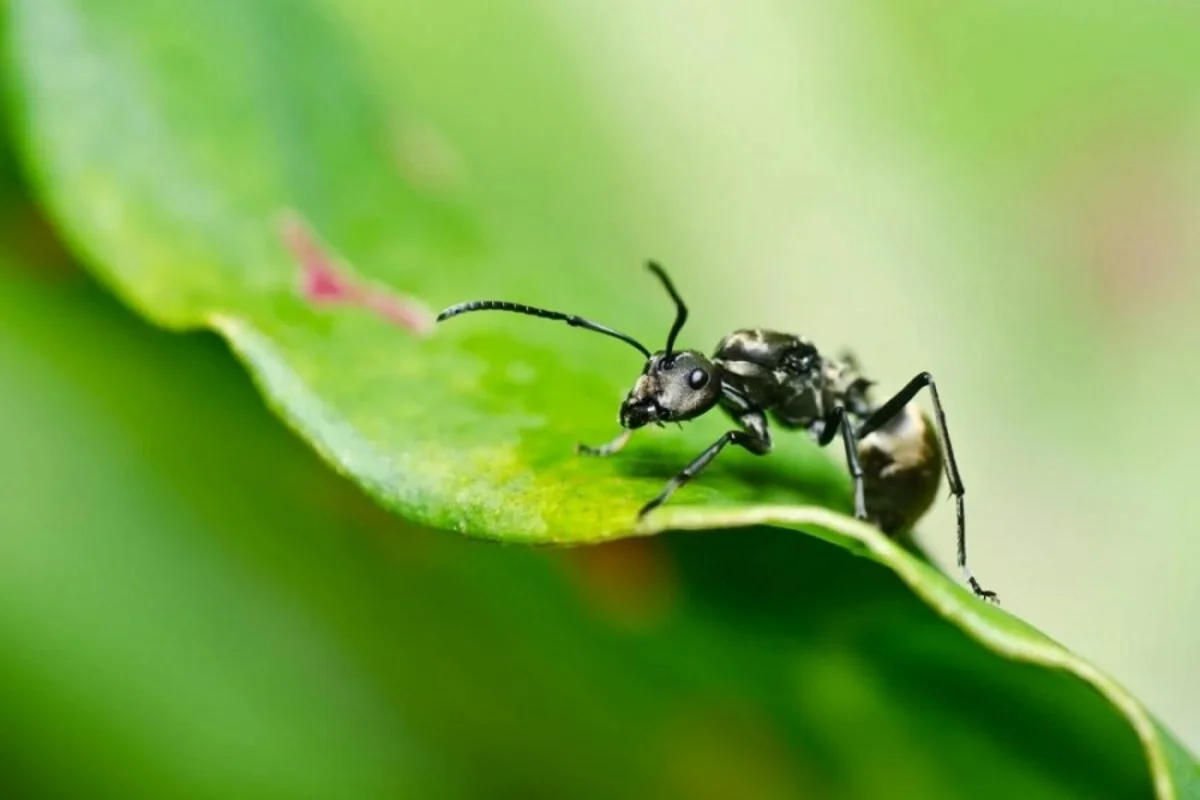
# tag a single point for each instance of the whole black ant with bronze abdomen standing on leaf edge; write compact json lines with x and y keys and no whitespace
{"x":895,"y":452}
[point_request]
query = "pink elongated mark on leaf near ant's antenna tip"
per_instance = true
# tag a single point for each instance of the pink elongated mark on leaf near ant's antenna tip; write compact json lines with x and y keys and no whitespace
{"x":325,"y":282}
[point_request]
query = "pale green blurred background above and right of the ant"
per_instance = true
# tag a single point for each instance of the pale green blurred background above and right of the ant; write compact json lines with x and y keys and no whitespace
{"x":1000,"y":194}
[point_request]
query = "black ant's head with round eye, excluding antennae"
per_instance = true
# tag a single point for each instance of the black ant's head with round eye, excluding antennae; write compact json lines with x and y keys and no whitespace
{"x":674,"y":387}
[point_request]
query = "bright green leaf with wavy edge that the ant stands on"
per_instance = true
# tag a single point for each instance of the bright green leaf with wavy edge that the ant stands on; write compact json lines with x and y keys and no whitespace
{"x":187,"y":181}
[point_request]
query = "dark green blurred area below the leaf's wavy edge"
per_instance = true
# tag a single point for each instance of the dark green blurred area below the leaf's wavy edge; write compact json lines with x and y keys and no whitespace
{"x":229,"y":619}
